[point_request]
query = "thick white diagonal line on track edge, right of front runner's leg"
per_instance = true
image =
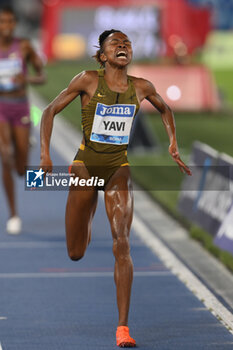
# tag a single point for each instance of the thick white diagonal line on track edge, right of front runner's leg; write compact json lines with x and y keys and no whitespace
{"x":183,"y":273}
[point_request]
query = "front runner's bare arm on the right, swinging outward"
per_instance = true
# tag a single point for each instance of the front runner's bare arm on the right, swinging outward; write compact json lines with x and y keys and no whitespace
{"x":149,"y":92}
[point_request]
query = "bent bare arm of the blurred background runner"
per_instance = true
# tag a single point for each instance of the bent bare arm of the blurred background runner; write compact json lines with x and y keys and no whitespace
{"x":35,"y":61}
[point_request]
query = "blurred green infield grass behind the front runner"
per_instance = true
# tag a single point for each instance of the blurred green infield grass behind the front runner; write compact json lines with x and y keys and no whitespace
{"x":214,"y":129}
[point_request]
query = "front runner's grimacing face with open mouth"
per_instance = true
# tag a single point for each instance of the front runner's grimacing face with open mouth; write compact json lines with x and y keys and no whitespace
{"x":117,"y":50}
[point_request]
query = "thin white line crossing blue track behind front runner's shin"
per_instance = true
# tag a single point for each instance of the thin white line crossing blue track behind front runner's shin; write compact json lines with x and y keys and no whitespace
{"x":78,"y":274}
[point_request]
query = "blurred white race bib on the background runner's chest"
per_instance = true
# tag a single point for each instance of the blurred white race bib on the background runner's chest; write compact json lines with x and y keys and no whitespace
{"x":8,"y":69}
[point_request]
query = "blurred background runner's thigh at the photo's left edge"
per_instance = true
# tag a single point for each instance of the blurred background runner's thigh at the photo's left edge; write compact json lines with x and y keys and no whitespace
{"x":5,"y":141}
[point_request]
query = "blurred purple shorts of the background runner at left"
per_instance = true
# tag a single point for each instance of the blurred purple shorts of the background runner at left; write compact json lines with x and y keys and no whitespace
{"x":15,"y":112}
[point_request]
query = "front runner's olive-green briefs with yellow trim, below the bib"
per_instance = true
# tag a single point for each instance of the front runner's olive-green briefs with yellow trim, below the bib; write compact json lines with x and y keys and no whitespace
{"x":101,"y":165}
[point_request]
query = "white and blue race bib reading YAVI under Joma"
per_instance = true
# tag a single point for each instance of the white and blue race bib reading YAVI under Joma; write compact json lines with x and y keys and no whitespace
{"x":112,"y":124}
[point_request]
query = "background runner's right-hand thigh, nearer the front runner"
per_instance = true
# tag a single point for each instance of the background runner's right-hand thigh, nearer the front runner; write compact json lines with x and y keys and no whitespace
{"x":21,"y":144}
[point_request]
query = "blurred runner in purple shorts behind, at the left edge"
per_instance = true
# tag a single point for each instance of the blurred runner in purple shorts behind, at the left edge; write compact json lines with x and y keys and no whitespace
{"x":15,"y":55}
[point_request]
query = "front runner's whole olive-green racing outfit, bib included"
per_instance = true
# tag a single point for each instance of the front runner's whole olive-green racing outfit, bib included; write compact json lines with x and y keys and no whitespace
{"x":106,"y":122}
